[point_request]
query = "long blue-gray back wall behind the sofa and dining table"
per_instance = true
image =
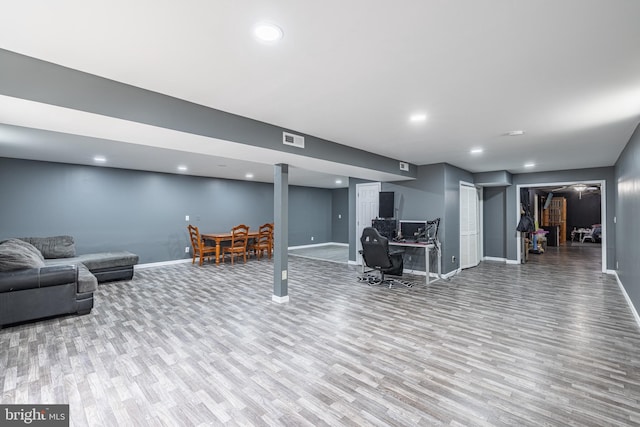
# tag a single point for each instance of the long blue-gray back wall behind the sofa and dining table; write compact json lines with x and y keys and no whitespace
{"x":144,"y":212}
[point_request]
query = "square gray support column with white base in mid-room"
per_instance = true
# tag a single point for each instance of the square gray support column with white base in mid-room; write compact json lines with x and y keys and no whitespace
{"x":281,"y":233}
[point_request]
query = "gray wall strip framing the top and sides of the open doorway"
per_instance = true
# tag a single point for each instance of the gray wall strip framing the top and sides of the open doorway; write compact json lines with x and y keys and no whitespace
{"x":576,"y":175}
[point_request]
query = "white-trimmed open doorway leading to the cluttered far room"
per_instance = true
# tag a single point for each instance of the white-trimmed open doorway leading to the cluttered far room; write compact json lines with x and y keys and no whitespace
{"x":567,"y":215}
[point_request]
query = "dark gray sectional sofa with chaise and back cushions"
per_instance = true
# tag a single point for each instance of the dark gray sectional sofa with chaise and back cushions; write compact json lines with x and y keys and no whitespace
{"x":42,"y":277}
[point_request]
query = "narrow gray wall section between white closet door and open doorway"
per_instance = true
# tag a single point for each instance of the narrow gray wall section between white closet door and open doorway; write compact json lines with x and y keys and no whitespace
{"x":494,"y":213}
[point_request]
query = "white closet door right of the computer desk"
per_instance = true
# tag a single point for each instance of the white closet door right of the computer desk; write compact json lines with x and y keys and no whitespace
{"x":469,"y":226}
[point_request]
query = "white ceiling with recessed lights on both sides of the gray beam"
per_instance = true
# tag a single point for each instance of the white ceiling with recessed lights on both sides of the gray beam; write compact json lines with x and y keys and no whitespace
{"x":567,"y":73}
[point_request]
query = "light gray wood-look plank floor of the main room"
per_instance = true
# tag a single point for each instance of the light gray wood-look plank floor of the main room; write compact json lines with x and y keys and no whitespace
{"x":551,"y":342}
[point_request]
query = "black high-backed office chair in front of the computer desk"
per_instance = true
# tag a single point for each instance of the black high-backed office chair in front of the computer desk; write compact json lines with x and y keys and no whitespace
{"x":376,"y":255}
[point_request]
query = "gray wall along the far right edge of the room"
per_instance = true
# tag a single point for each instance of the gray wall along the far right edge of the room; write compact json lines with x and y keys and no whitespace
{"x":627,"y":175}
